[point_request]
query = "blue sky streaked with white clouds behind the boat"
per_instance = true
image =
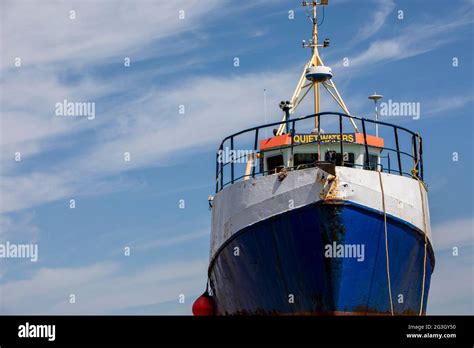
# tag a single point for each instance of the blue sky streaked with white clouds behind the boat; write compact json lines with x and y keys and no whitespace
{"x":190,"y":62}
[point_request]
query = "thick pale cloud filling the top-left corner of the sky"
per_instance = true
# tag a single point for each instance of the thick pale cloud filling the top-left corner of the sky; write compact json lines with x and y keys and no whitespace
{"x":43,"y":32}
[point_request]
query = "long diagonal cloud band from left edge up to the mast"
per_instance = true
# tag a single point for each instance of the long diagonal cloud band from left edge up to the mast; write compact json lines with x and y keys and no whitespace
{"x":150,"y":138}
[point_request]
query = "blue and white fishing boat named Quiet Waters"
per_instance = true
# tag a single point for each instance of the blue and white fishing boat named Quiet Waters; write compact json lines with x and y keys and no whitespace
{"x":323,"y":214}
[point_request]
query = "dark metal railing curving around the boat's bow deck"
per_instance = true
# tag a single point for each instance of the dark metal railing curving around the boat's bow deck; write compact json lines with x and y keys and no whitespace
{"x":413,"y":160}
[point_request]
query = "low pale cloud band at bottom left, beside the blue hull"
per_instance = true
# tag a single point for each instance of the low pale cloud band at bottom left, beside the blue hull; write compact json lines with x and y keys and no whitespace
{"x":102,"y":288}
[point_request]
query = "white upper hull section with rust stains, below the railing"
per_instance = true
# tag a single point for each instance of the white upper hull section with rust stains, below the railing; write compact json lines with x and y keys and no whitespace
{"x":247,"y":202}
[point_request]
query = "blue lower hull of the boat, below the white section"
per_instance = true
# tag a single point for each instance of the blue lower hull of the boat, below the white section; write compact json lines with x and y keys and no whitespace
{"x":281,"y":267}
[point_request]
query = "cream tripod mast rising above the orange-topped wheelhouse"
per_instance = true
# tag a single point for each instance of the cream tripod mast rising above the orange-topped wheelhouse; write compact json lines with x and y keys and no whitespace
{"x":305,"y":84}
